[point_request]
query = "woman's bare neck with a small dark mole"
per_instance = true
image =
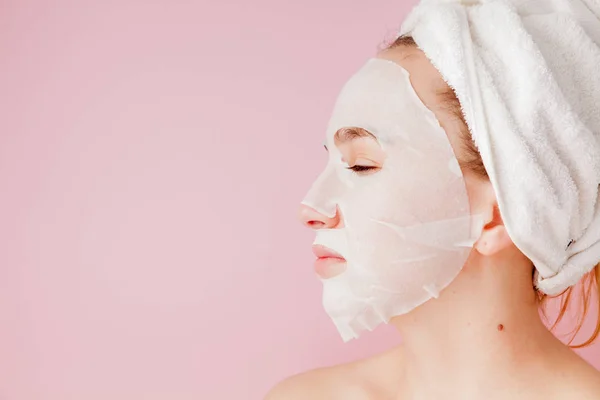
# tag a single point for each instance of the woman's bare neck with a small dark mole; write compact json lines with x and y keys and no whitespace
{"x":482,"y":334}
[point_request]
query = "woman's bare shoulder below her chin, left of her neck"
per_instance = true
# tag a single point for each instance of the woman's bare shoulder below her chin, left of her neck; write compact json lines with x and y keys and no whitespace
{"x":359,"y":380}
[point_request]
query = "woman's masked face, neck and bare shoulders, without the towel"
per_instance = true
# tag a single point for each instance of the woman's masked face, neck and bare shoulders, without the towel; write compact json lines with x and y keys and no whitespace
{"x":476,"y":334}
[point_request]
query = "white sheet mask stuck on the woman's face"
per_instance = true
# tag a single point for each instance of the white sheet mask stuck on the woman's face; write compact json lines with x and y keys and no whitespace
{"x":407,"y":227}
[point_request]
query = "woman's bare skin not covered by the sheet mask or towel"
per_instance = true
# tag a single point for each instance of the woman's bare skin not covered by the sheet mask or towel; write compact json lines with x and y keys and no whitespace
{"x":483,"y":337}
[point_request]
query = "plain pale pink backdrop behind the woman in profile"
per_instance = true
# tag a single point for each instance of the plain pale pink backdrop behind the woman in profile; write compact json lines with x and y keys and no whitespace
{"x":152,"y":157}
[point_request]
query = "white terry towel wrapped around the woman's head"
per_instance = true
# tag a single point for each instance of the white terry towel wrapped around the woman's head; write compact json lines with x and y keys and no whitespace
{"x":527,"y":74}
